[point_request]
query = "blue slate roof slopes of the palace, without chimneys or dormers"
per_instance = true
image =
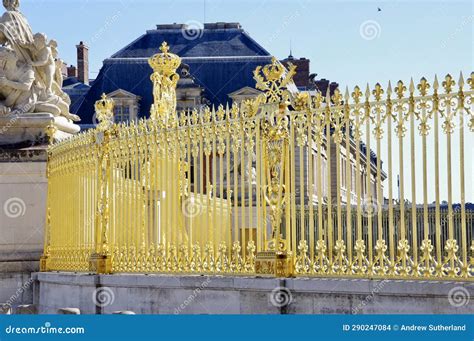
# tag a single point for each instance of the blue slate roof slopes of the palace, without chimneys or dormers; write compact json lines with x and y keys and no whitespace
{"x":221,"y":60}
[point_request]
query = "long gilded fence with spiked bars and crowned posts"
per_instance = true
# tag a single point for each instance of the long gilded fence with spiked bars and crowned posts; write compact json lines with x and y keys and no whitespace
{"x":364,"y":184}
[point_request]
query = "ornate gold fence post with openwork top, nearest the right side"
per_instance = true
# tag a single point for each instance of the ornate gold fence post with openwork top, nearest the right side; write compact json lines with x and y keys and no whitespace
{"x":276,"y":260}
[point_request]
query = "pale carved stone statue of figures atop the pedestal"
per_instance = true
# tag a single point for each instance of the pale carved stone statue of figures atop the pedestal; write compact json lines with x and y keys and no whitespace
{"x":30,"y":74}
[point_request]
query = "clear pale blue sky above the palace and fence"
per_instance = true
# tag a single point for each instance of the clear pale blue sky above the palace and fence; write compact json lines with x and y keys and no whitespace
{"x":349,"y":42}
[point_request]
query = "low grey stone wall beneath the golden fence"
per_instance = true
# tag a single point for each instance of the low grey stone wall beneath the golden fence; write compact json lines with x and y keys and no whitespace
{"x":167,"y":294}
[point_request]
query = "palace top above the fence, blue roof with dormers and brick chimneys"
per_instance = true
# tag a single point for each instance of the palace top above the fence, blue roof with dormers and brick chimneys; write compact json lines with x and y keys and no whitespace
{"x":217,"y":69}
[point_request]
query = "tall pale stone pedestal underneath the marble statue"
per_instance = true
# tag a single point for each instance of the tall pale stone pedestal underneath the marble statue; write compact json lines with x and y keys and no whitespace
{"x":23,"y":195}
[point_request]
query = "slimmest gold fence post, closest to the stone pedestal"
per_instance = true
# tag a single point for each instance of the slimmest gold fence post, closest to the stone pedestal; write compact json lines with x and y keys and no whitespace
{"x":100,"y":261}
